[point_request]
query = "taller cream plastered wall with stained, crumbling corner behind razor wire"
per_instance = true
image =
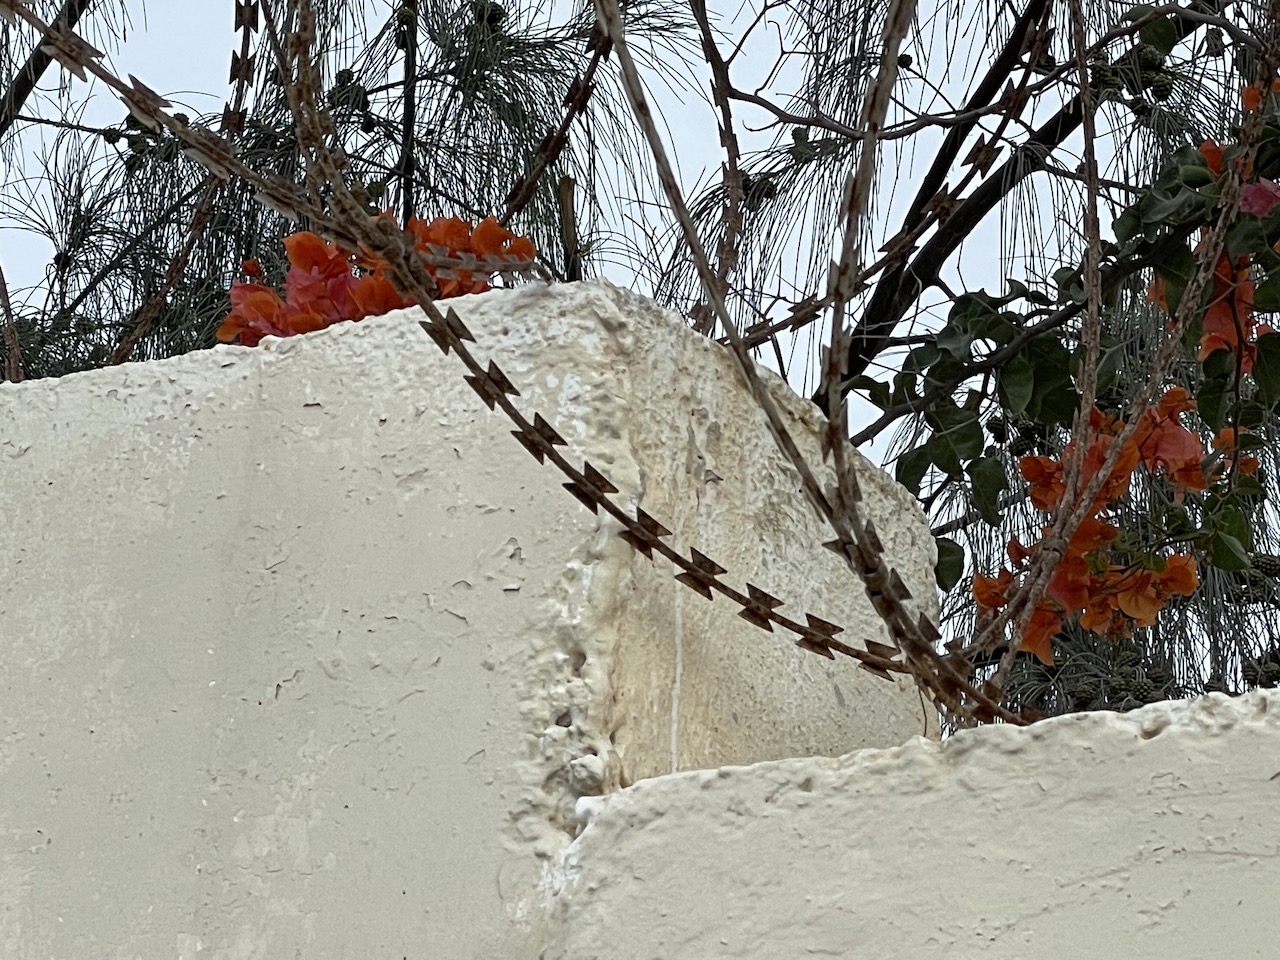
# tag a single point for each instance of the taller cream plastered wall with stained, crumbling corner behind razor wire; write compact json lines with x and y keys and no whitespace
{"x":304,"y":659}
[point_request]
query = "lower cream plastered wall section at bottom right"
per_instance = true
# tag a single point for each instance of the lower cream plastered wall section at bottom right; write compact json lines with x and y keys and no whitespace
{"x":1150,"y":835}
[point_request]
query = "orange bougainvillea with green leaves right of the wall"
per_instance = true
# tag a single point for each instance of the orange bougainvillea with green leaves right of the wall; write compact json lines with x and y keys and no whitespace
{"x":1107,"y":580}
